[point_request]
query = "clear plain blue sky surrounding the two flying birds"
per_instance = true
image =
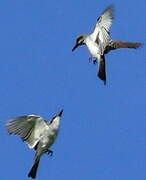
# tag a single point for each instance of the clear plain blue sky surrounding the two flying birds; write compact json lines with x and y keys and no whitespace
{"x":103,"y":131}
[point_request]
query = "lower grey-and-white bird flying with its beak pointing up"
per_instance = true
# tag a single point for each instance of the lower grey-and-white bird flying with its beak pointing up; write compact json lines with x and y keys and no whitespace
{"x":39,"y":134}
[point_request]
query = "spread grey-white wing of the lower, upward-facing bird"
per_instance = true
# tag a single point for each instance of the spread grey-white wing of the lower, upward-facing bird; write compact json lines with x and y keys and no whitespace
{"x":30,"y":128}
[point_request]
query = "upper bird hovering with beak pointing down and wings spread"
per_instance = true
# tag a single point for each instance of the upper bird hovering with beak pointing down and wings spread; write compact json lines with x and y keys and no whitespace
{"x":99,"y":42}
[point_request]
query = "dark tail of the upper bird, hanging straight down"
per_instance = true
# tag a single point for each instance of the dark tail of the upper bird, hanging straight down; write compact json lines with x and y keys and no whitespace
{"x":102,"y":69}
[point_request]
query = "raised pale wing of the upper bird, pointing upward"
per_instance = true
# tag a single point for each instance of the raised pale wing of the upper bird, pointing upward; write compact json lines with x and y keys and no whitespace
{"x":101,"y":34}
